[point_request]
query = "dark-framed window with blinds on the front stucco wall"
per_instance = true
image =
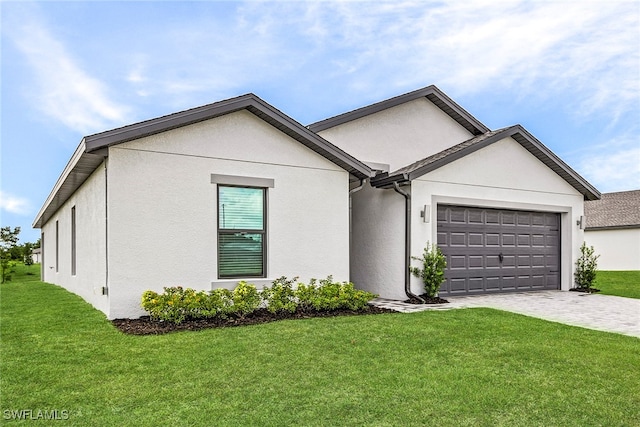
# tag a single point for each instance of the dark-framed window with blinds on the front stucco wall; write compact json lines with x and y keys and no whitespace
{"x":241,"y":231}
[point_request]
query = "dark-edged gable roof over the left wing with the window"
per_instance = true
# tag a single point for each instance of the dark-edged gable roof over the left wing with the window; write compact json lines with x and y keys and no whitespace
{"x":94,"y":148}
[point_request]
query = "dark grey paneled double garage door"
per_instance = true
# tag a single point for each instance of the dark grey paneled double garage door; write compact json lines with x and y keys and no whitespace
{"x":496,"y":250}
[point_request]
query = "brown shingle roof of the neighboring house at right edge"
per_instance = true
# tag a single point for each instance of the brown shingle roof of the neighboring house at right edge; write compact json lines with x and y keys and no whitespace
{"x":614,"y":210}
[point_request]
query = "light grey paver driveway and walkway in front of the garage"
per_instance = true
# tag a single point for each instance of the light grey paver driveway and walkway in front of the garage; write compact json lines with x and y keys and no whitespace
{"x":593,"y":311}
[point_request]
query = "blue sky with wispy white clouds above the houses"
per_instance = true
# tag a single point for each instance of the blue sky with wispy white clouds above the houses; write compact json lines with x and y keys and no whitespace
{"x":569,"y":72}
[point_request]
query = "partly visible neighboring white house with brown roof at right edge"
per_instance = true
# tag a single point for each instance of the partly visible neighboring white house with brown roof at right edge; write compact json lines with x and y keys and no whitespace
{"x":613,"y":229}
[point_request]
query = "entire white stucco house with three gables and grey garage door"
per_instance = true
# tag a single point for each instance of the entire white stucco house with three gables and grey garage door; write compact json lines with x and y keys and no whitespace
{"x":238,"y":190}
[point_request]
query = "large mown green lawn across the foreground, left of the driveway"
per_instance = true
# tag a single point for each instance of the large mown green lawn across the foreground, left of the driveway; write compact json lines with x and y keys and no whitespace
{"x":476,"y":367}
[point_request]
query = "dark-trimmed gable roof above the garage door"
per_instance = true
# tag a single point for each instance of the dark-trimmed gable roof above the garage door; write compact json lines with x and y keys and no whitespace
{"x":517,"y":132}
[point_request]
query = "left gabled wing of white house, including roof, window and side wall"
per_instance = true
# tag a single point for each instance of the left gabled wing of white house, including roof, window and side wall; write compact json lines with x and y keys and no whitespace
{"x":202,"y":198}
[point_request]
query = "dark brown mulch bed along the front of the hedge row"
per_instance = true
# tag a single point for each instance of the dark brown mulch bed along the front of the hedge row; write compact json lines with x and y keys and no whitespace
{"x":146,"y":326}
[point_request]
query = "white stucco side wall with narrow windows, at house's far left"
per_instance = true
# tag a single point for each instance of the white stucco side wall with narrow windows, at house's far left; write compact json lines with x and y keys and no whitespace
{"x":90,"y":277}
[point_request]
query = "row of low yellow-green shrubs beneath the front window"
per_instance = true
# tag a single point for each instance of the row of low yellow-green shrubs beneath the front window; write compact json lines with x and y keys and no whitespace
{"x":176,"y":304}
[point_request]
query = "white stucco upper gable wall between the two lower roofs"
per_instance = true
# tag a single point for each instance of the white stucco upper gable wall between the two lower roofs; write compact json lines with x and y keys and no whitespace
{"x":398,"y":136}
